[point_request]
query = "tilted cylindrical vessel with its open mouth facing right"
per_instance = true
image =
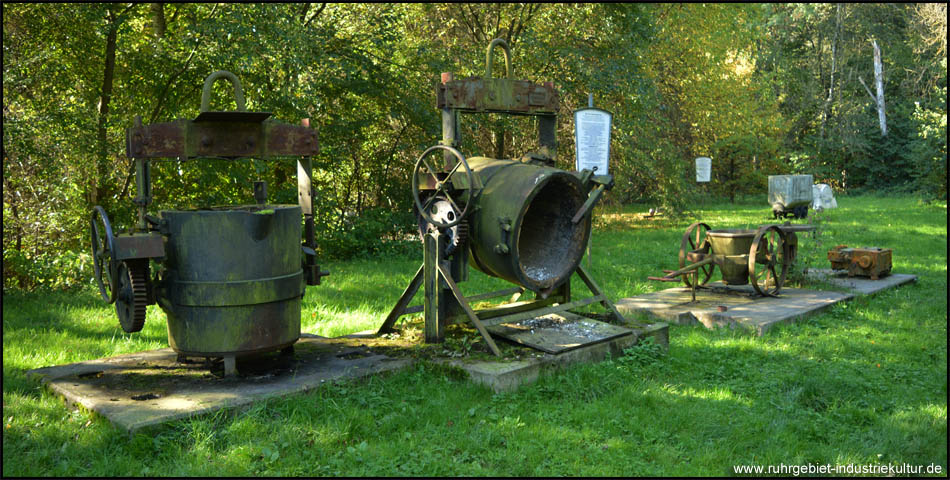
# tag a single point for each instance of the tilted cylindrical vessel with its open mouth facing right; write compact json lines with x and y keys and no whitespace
{"x":521,"y":224}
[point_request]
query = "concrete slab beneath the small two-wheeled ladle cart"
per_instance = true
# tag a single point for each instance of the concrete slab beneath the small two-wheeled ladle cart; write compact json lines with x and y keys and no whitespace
{"x":733,"y":306}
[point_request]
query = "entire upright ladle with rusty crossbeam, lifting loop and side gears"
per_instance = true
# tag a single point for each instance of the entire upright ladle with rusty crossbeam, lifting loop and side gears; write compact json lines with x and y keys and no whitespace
{"x":231,"y":278}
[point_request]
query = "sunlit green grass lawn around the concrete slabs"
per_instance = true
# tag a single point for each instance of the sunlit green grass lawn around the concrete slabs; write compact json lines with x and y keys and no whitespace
{"x":865,"y":382}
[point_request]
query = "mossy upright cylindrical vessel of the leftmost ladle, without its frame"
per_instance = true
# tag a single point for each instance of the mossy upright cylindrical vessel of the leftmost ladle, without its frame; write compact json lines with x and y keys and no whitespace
{"x":234,"y":281}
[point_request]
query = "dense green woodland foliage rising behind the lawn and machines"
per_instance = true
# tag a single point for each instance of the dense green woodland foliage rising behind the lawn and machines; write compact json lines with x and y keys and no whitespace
{"x":762,"y":89}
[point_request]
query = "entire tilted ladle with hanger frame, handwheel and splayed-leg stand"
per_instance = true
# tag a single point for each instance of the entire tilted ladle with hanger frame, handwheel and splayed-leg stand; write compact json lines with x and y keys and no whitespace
{"x":519,"y":219}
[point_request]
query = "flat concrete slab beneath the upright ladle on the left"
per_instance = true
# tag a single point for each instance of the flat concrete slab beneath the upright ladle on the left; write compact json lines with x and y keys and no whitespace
{"x":149,"y":388}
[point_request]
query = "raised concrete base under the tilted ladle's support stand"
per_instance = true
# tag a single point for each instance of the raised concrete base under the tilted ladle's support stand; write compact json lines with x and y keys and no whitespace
{"x":508,"y":375}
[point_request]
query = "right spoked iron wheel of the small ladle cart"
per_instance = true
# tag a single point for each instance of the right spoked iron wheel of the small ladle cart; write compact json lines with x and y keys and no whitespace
{"x":768,"y":260}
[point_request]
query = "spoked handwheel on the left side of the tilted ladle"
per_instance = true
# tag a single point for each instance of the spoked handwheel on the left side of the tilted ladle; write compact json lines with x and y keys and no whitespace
{"x":441,"y":184}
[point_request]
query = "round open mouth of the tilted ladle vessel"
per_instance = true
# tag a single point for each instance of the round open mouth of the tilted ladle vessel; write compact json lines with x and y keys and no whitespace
{"x":549,"y":245}
